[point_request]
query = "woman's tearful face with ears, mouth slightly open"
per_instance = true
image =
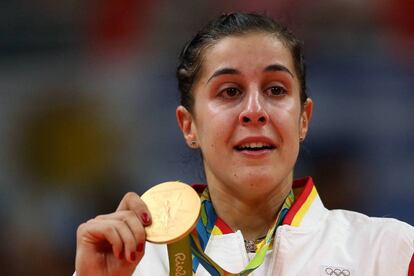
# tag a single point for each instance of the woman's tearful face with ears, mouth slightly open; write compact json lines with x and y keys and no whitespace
{"x":247,"y":117}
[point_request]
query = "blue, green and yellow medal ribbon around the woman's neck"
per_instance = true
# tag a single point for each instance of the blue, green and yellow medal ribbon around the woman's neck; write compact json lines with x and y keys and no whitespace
{"x":201,"y":234}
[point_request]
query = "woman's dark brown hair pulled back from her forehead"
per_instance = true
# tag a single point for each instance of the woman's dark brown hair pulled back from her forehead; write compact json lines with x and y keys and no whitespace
{"x":233,"y":24}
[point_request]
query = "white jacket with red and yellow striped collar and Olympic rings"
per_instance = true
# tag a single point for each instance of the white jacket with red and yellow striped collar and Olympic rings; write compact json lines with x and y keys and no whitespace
{"x":312,"y":241}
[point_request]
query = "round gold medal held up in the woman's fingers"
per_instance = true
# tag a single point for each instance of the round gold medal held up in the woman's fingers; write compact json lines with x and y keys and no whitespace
{"x":174,"y":208}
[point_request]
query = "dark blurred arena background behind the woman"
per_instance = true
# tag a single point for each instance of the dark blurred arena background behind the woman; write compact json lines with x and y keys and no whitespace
{"x":87,"y":110}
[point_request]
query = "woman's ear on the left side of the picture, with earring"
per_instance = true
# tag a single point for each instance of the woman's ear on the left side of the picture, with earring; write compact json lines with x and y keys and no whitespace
{"x":186,"y":123}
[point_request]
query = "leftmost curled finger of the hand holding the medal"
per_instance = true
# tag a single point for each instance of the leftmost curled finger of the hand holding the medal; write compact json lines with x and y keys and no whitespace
{"x":95,"y":232}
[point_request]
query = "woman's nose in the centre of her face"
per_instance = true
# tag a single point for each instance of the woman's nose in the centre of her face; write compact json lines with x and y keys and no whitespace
{"x":253,"y":113}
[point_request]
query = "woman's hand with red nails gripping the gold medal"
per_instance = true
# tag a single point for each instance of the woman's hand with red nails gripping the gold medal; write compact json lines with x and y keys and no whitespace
{"x":113,"y":244}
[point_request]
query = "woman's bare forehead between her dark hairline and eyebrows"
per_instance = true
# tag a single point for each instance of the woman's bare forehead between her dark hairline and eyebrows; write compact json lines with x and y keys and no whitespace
{"x":248,"y":53}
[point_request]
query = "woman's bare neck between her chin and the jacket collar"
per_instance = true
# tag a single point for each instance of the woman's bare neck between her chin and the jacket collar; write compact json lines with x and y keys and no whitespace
{"x":252,"y":214}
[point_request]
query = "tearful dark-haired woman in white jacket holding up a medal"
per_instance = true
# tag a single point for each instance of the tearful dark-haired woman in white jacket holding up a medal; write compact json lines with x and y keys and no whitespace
{"x":244,"y":105}
